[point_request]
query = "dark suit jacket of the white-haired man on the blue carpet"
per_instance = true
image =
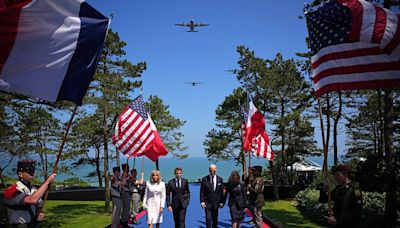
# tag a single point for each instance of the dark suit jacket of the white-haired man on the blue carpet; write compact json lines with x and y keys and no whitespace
{"x":210,"y":197}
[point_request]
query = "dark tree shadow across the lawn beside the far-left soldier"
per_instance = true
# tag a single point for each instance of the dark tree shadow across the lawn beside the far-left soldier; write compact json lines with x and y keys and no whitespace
{"x":62,"y":214}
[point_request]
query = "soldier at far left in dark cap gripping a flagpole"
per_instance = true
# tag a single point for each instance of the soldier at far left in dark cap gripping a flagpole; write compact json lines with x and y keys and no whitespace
{"x":23,"y":200}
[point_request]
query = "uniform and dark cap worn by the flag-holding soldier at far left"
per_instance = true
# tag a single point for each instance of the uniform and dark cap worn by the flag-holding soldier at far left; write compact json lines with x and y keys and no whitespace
{"x":20,"y":214}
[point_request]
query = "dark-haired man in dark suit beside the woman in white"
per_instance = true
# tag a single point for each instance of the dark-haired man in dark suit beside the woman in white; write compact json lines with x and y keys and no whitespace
{"x":179,"y":189}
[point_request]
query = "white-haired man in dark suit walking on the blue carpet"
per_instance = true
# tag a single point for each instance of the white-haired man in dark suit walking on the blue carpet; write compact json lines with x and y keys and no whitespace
{"x":212,"y":196}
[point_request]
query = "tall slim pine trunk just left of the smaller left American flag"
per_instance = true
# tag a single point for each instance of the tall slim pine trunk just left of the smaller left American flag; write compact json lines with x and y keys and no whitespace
{"x":107,"y":199}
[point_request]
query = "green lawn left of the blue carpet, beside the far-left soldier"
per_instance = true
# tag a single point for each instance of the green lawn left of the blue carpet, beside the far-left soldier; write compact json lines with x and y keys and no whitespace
{"x":75,"y":214}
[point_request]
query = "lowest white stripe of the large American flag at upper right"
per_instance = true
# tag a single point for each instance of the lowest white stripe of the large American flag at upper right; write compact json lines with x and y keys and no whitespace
{"x":357,"y":77}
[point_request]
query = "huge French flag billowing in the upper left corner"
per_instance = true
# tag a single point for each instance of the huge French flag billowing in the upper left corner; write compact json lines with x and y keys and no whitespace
{"x":49,"y":49}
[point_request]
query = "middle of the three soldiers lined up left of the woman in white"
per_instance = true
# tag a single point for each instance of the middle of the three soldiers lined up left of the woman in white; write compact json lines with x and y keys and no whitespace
{"x":126,"y":196}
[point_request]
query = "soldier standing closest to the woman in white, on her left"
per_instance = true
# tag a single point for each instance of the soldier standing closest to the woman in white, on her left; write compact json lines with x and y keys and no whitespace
{"x":134,"y":189}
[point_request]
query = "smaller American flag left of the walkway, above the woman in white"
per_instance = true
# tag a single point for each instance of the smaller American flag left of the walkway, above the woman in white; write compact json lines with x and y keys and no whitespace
{"x":133,"y":130}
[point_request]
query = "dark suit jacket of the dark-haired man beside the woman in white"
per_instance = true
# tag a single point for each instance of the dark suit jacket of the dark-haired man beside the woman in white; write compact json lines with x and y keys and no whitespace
{"x":180,"y":196}
